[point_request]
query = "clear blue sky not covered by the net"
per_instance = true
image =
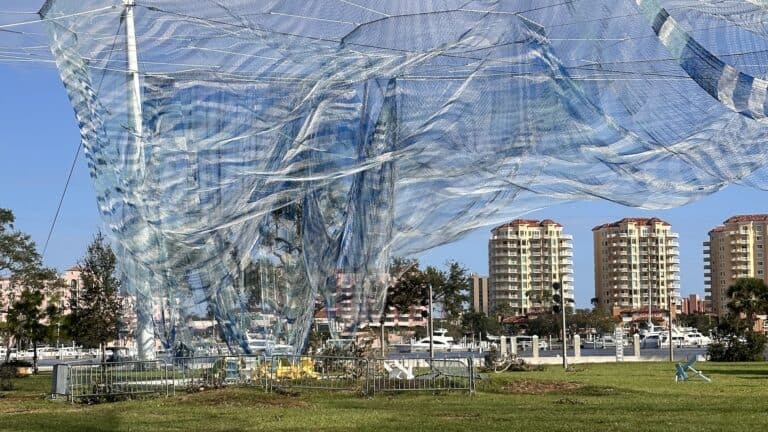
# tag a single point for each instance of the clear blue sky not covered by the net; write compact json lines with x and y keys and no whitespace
{"x":39,"y":138}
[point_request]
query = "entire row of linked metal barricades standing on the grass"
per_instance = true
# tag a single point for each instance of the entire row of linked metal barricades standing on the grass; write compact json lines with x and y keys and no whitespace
{"x":111,"y":381}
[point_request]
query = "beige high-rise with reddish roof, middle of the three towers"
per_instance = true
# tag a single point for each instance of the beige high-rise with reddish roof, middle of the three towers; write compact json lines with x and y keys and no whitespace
{"x":636,"y":264}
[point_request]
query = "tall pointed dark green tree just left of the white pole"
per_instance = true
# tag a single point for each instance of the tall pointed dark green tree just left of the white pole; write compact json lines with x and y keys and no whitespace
{"x":96,"y":314}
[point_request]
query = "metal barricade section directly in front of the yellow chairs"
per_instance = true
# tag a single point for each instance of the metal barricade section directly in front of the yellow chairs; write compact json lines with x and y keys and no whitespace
{"x":318,"y":372}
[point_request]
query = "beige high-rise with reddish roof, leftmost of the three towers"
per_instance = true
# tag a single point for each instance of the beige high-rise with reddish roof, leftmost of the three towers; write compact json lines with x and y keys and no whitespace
{"x":525,"y":257}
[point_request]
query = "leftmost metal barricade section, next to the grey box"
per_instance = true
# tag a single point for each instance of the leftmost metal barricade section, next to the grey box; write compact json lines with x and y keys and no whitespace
{"x":110,"y":380}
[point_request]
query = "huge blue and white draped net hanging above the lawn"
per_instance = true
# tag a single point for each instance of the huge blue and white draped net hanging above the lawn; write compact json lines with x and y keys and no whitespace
{"x":296,"y":146}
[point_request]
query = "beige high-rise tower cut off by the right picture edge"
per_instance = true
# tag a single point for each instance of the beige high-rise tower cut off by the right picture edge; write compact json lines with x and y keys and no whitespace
{"x":735,"y":249}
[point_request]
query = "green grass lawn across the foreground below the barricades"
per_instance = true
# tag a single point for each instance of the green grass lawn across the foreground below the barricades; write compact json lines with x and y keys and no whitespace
{"x":611,"y":397}
